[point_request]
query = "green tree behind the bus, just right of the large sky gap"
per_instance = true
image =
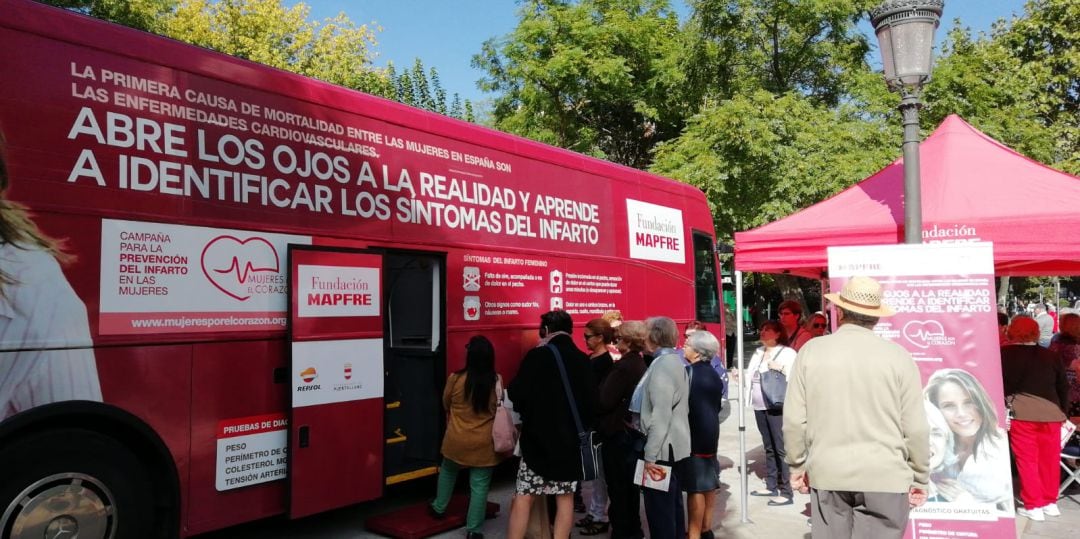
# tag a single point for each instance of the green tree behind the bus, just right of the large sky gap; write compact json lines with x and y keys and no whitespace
{"x":599,"y":77}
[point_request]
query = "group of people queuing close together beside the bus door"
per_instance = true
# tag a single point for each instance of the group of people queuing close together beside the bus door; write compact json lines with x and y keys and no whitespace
{"x":656,"y":412}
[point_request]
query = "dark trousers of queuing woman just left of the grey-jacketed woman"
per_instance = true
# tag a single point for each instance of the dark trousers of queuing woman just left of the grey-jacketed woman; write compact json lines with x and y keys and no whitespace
{"x":624,"y":495}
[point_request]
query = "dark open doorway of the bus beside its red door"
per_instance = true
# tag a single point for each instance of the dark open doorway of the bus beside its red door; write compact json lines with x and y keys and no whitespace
{"x":416,"y":363}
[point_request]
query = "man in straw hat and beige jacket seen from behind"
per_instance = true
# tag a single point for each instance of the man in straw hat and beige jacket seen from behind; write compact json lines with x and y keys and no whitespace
{"x":855,"y":424}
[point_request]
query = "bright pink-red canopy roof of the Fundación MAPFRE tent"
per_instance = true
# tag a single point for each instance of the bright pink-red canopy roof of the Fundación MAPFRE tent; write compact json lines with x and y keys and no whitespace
{"x":974,"y":188}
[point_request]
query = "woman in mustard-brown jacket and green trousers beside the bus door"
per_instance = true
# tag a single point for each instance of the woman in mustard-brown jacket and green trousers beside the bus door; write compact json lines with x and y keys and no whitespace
{"x":470,"y":401}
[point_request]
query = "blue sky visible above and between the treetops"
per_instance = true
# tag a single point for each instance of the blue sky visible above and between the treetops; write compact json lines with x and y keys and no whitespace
{"x":447,"y":34}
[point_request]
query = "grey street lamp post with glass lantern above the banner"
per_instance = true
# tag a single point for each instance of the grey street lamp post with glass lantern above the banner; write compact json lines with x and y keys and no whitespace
{"x":906,"y":32}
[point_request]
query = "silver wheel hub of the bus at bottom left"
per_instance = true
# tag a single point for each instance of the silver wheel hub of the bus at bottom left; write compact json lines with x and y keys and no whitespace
{"x":65,"y":506}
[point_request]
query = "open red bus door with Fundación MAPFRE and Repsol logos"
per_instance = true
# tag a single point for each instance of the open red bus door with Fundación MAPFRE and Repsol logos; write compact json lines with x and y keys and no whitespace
{"x":335,"y":333}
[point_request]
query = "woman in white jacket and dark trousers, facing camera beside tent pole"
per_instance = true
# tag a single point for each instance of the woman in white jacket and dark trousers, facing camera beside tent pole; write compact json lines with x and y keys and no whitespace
{"x":773,"y":358}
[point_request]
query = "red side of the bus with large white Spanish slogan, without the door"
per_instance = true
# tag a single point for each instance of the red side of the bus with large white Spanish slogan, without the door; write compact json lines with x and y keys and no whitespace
{"x":160,"y":192}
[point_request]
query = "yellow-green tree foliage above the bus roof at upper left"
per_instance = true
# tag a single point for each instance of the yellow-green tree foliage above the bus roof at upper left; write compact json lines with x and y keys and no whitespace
{"x":269,"y":32}
